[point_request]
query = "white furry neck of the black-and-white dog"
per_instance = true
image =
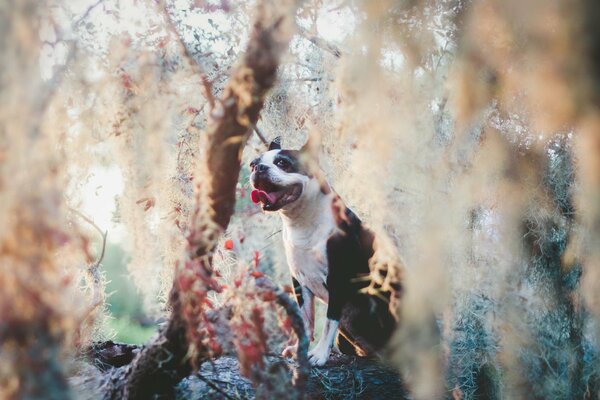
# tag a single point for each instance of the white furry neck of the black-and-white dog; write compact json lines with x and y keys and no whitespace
{"x":311,"y":212}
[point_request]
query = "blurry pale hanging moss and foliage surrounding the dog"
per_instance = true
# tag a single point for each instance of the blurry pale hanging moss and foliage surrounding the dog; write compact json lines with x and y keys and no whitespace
{"x":464,"y":133}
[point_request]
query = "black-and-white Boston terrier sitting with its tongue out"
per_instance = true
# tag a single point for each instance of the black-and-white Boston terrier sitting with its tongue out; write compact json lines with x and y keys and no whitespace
{"x":327,"y":250}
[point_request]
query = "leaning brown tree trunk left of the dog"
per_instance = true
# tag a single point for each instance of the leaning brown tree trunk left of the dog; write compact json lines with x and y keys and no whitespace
{"x":186,"y":339}
